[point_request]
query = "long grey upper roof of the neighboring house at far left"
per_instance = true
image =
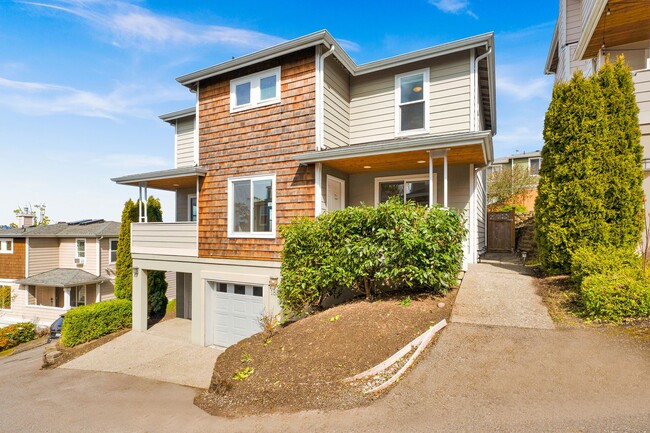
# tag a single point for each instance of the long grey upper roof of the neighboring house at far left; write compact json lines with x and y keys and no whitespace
{"x":82,"y":228}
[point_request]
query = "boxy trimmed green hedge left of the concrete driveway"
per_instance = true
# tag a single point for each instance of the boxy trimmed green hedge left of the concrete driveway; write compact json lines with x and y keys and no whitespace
{"x":89,"y":322}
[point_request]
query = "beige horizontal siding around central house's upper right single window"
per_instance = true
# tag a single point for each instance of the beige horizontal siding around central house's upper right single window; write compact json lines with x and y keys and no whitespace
{"x":372,"y":99}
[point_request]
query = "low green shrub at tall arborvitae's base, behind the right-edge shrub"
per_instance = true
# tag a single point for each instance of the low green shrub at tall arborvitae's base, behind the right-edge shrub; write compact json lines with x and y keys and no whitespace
{"x":601,"y":260}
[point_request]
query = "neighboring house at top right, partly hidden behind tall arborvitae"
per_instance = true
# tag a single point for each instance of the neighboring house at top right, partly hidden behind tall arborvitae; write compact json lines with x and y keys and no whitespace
{"x":589,"y":30}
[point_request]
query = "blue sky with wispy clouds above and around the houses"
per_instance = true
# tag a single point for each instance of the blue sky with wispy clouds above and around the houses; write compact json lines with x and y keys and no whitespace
{"x":82,"y":82}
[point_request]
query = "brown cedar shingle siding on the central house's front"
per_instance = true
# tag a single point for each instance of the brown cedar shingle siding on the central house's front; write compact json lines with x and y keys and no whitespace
{"x":257,"y":141}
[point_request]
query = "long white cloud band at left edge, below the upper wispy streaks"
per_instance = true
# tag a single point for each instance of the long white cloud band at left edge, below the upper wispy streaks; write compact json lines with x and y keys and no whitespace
{"x":42,"y":99}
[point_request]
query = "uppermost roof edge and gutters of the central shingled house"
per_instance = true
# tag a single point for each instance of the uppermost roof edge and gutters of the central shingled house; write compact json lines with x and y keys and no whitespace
{"x":323,"y":37}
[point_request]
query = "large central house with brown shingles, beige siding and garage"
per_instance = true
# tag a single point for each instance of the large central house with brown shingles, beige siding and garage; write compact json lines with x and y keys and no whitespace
{"x":299,"y":129}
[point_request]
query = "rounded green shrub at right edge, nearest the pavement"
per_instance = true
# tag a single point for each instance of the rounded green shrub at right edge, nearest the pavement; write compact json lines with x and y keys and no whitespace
{"x":616,"y":296}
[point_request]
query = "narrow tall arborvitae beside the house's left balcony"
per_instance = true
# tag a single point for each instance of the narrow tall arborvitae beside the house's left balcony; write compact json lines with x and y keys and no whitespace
{"x":124,"y":262}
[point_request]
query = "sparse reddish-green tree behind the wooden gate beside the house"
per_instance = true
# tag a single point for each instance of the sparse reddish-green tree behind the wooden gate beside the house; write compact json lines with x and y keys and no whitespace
{"x":509,"y":184}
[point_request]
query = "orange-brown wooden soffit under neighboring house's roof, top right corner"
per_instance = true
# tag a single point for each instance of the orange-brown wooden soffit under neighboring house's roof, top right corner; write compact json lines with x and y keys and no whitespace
{"x":627,"y":22}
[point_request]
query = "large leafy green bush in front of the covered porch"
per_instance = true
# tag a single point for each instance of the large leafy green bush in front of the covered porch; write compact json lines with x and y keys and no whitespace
{"x":366,"y":249}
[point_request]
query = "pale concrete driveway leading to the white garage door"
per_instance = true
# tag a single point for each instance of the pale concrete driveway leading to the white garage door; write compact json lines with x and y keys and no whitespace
{"x":163,"y":352}
